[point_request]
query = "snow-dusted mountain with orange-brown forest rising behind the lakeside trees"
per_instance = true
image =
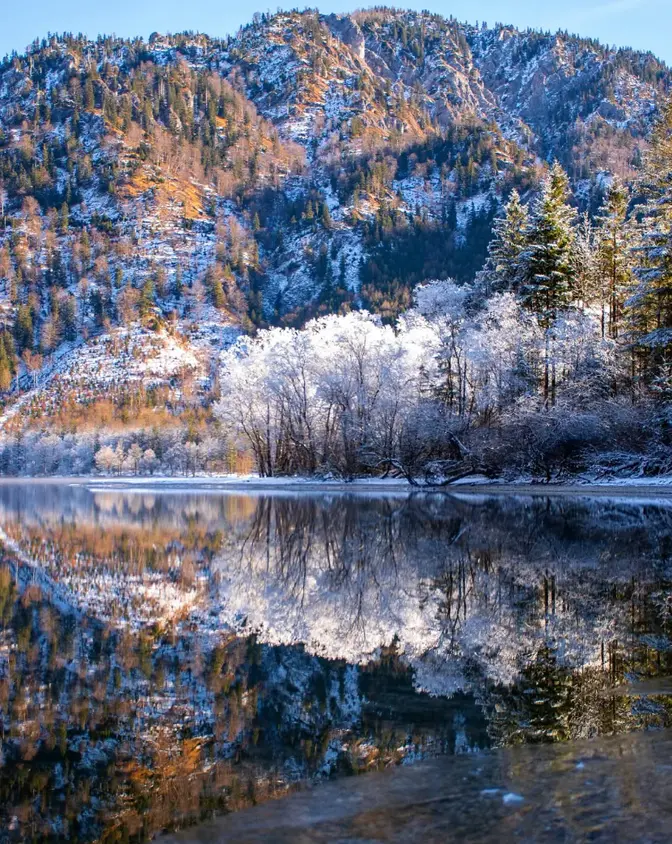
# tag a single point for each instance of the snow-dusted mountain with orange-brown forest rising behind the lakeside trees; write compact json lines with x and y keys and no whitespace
{"x":153,"y":193}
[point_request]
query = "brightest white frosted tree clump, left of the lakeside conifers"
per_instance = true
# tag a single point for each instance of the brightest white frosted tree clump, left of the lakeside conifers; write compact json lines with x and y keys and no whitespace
{"x":331,"y":397}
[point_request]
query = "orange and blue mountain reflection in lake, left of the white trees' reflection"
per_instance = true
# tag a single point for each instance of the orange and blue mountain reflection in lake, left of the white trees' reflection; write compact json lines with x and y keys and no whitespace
{"x":130,"y":726}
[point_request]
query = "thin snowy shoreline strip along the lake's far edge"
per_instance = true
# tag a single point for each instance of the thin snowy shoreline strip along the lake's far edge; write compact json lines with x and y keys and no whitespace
{"x":241,"y":484}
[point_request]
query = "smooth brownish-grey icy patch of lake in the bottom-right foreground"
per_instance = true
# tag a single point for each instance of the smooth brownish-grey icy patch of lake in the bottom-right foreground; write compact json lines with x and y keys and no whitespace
{"x":614,"y":789}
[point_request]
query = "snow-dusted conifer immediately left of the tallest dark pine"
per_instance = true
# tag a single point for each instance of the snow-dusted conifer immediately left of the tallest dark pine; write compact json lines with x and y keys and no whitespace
{"x":504,"y":267}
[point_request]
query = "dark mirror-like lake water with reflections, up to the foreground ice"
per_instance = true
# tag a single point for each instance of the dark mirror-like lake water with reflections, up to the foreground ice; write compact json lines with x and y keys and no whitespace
{"x":164,"y":656}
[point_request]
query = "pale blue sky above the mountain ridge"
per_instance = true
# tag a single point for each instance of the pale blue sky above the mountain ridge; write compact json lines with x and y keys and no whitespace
{"x":644,"y":24}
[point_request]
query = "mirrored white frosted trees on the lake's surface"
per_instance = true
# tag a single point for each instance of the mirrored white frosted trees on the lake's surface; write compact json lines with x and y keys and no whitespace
{"x":474,"y":594}
